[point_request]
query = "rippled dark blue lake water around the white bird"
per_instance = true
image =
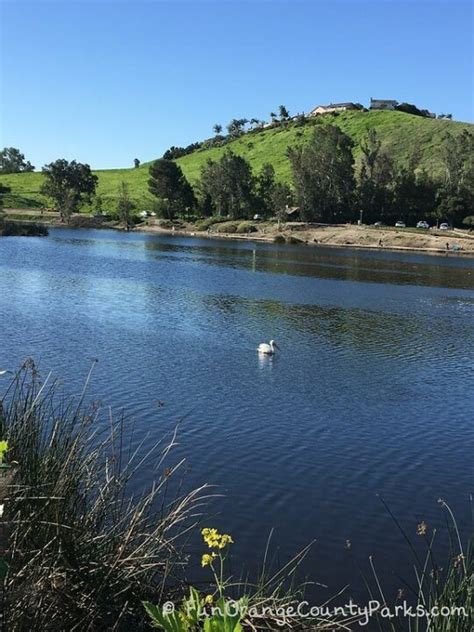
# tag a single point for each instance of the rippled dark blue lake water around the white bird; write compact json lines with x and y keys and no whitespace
{"x":372,"y":395}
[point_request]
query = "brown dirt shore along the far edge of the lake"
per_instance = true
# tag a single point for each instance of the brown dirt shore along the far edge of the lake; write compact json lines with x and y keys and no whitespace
{"x":455,"y":242}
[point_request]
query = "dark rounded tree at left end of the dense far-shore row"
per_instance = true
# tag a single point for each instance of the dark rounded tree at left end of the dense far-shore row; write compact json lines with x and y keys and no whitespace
{"x":168,"y":183}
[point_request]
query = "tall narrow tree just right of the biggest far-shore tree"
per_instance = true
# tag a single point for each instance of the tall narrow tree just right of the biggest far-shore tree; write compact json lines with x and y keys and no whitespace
{"x":376,"y":176}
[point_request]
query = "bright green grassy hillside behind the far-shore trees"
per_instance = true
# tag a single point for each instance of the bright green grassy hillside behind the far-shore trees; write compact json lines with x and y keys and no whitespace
{"x":400,"y":133}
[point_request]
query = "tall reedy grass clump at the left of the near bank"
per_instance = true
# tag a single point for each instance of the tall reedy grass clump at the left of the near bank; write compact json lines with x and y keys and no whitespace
{"x":83,"y":552}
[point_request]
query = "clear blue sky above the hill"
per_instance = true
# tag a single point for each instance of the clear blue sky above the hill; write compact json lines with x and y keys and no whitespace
{"x":107,"y":81}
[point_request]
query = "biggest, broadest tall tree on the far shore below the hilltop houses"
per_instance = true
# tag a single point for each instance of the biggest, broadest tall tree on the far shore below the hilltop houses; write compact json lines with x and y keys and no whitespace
{"x":323,"y":175}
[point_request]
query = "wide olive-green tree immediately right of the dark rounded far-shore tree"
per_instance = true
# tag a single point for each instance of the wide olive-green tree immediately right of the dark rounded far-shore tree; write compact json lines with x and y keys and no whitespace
{"x":228,"y":184}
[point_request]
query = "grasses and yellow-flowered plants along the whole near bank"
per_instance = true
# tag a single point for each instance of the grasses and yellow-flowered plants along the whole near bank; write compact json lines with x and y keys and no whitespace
{"x":79,"y":552}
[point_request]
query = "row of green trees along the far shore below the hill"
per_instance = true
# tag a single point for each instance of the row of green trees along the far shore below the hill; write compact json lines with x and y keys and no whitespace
{"x":327,"y":184}
